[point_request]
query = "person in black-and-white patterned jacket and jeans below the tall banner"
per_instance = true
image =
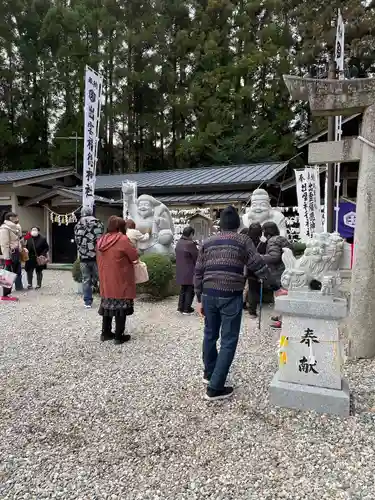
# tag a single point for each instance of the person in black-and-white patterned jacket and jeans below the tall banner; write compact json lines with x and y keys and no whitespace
{"x":87,"y":231}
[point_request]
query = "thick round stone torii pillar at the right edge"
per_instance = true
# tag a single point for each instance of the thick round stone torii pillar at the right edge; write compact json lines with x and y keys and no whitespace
{"x":362,"y":310}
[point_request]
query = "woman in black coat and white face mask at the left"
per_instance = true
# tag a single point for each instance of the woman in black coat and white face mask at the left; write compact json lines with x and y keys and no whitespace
{"x":37,"y":246}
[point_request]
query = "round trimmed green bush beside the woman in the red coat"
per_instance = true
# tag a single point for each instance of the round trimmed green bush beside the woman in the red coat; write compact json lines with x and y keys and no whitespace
{"x":160,"y":272}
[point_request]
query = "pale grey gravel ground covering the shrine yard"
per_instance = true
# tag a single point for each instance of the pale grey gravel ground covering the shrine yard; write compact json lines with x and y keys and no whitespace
{"x":85,"y":420}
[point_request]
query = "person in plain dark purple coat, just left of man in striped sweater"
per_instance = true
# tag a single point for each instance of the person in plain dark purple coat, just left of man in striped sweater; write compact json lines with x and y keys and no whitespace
{"x":186,"y":257}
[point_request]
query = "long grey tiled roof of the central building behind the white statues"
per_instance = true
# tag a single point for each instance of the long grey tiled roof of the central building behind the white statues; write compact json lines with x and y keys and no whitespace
{"x":205,"y":176}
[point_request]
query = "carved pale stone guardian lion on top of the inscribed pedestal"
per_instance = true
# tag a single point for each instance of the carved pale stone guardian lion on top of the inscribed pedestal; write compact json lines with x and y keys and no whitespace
{"x":320,"y":262}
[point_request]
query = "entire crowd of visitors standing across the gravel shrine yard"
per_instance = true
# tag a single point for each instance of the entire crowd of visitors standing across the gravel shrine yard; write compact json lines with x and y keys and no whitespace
{"x":214,"y":271}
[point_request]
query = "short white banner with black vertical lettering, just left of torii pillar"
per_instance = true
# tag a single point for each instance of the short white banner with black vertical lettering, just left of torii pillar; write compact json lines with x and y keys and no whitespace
{"x":308,"y":197}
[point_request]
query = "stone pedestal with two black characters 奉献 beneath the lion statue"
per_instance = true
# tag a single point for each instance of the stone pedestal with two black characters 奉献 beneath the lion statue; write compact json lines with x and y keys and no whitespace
{"x":309,"y":376}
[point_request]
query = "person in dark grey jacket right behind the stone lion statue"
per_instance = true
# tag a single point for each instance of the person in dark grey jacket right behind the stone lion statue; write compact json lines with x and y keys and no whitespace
{"x":273,"y":258}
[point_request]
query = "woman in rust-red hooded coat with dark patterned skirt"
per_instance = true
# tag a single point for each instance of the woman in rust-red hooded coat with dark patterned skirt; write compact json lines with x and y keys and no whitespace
{"x":115,"y":257}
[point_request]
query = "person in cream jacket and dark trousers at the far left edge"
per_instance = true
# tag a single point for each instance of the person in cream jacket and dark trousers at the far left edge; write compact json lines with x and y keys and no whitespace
{"x":11,"y":249}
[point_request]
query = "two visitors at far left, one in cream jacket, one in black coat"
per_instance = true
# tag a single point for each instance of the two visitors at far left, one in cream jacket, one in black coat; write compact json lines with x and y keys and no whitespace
{"x":17,"y":248}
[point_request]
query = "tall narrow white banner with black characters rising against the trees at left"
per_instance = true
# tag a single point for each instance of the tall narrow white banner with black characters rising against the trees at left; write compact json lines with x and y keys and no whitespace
{"x":93,"y":93}
